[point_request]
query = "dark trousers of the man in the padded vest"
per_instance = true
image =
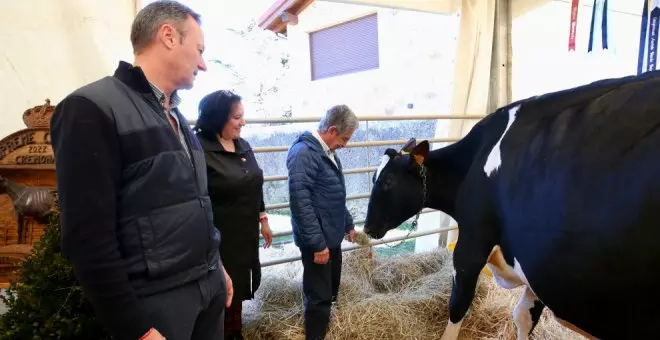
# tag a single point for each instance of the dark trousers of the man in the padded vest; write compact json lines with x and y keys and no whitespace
{"x":192,"y":311}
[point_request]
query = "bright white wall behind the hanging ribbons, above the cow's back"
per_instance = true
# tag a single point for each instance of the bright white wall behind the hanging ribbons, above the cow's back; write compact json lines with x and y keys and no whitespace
{"x":542,"y":63}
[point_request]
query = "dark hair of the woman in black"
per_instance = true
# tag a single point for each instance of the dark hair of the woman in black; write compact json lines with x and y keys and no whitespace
{"x":214,"y":111}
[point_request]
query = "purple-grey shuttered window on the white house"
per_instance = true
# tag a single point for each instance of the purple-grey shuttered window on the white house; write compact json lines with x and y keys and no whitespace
{"x":345,"y":48}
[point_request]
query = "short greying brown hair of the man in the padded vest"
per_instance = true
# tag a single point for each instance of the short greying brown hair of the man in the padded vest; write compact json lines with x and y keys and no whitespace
{"x":153,"y":16}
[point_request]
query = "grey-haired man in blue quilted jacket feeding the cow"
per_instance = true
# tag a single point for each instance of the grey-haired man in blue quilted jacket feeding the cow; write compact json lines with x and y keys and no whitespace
{"x":320,"y":219}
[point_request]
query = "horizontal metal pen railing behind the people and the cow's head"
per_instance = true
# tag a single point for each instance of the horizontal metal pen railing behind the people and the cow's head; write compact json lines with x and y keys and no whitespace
{"x":367,"y":143}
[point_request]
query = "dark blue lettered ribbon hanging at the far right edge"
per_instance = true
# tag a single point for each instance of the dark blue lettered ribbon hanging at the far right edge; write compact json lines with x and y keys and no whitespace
{"x":648,"y":38}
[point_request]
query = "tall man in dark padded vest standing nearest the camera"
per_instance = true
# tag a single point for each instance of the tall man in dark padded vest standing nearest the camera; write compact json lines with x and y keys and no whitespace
{"x":136,"y":217}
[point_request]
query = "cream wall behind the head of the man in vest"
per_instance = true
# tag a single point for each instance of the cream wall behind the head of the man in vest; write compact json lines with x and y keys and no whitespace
{"x":51,"y":47}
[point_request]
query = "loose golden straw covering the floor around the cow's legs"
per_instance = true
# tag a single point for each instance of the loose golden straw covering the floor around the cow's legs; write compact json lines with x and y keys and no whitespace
{"x":401,"y":297}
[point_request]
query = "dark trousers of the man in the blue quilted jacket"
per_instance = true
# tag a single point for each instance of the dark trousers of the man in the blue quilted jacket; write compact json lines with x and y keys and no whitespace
{"x":320,"y":287}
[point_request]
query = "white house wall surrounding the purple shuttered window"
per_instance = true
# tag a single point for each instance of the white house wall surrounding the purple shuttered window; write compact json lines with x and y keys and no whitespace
{"x":415,"y":51}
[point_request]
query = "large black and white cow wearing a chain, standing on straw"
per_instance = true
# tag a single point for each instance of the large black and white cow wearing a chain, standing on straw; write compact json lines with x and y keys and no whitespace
{"x":558,"y":193}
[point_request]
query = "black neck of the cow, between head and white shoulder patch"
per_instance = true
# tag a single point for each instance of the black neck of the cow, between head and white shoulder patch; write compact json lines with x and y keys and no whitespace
{"x":447,"y":168}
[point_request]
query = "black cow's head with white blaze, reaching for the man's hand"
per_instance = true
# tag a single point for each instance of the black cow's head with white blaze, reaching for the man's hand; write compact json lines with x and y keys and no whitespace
{"x":398,"y":190}
